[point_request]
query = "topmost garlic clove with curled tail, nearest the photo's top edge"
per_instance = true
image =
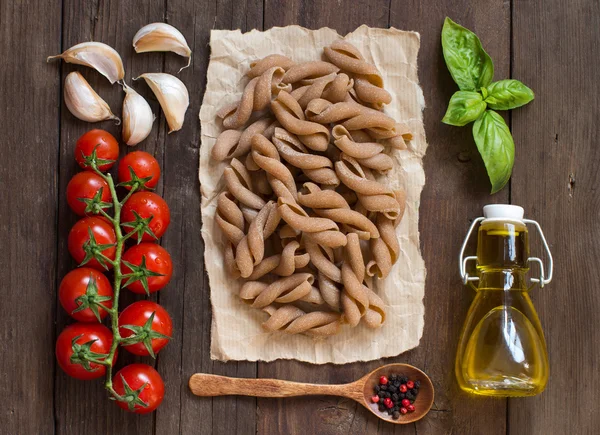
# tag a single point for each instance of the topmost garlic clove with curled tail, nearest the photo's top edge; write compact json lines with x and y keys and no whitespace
{"x":161,"y":37}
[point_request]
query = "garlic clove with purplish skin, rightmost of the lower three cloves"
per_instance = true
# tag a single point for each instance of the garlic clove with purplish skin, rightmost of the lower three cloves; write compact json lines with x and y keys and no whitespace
{"x":172,"y":96}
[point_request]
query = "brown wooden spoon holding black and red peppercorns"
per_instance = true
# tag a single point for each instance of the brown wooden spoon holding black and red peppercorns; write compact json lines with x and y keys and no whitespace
{"x":361,"y":390}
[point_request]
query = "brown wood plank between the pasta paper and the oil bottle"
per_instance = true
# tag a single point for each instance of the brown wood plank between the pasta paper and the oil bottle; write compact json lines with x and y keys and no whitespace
{"x":457,"y":187}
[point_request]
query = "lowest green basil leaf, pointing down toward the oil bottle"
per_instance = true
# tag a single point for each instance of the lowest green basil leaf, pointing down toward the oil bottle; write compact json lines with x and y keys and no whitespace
{"x":496,"y":146}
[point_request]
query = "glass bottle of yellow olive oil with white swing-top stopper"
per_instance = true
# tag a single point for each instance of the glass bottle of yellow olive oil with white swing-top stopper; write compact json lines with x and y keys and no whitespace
{"x":502,"y":351}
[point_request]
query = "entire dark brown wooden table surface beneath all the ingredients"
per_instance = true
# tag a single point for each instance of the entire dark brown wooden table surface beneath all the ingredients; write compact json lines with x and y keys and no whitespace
{"x":551,"y":45}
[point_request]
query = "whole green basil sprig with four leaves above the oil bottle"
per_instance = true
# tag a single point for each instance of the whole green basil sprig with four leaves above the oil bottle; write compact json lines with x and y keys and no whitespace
{"x":473,"y":71}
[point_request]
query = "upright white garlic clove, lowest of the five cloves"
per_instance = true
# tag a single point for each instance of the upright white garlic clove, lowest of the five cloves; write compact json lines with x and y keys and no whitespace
{"x":137,"y":117}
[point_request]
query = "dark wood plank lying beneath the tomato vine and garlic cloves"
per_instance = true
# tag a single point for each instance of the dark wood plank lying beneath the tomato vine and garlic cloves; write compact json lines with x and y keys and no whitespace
{"x":83,"y":406}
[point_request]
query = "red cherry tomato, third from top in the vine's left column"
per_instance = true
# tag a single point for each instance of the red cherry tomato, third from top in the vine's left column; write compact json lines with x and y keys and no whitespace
{"x":103,"y":233}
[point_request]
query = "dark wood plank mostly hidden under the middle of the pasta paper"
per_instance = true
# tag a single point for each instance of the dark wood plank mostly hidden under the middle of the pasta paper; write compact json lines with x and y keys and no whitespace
{"x":322,"y":415}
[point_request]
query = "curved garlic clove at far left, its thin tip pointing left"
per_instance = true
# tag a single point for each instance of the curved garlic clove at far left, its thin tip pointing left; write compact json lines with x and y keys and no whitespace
{"x":103,"y":58}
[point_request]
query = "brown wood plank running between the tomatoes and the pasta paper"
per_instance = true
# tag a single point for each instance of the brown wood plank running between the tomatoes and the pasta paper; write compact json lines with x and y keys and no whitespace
{"x":188,"y":298}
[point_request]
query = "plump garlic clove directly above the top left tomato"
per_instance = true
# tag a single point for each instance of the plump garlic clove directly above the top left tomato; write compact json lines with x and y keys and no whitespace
{"x":83,"y":102}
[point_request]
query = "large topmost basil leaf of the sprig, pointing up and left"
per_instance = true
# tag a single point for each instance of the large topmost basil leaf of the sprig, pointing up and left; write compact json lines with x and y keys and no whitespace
{"x":470,"y":66}
